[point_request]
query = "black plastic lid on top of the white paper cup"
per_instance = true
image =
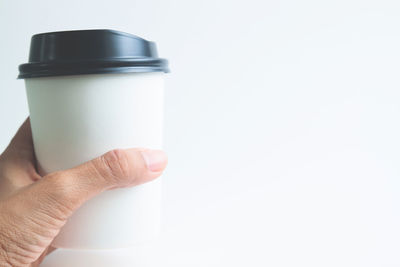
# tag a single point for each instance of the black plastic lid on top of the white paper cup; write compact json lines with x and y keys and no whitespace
{"x":90,"y":52}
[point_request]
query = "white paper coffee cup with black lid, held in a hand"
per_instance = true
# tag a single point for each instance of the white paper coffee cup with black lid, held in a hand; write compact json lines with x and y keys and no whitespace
{"x":90,"y":92}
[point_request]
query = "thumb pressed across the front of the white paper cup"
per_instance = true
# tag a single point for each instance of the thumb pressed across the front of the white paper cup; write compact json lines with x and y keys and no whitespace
{"x":61,"y":193}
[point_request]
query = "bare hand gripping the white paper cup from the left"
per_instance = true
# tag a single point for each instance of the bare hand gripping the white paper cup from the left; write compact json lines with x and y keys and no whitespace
{"x":33,"y":208}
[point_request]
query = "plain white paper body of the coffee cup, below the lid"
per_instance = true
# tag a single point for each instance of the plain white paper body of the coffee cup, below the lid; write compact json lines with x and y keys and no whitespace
{"x":79,"y":117}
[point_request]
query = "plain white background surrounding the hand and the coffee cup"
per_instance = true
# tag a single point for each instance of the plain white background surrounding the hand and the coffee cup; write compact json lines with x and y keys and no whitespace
{"x":282,"y":123}
